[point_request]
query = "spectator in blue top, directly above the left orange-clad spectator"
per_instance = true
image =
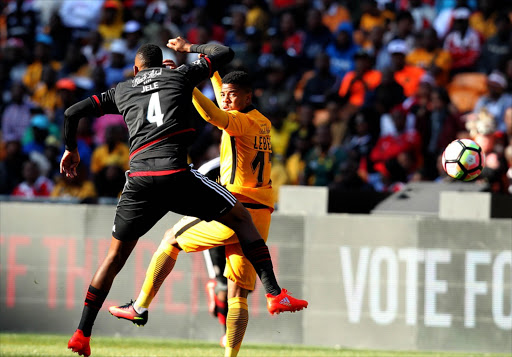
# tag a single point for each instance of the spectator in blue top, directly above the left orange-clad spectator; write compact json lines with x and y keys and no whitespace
{"x":342,"y":50}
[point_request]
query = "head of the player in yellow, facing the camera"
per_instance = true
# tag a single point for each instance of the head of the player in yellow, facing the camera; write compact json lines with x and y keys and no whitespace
{"x":236,"y":92}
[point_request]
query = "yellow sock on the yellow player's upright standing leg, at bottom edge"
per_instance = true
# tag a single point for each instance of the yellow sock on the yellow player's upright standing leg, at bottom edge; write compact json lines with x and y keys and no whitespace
{"x":236,"y":324}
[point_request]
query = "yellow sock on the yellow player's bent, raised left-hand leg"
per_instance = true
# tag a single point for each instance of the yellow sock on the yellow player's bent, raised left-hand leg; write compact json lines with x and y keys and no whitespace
{"x":161,"y":265}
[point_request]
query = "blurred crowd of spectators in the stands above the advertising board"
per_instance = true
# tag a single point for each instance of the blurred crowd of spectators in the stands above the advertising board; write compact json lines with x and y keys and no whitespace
{"x":362,"y":95}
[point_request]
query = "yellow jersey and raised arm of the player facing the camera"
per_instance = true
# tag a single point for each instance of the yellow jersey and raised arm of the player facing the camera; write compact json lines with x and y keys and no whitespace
{"x":245,"y":152}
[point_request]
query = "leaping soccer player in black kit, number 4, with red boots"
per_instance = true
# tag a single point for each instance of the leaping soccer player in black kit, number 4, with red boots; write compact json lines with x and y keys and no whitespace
{"x":157,"y":108}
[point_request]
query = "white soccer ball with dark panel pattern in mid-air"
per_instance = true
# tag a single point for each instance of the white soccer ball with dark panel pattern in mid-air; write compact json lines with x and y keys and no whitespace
{"x":463,"y":160}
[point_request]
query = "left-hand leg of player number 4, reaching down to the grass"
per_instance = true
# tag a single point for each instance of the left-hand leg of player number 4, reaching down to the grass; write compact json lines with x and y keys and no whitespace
{"x":129,"y":225}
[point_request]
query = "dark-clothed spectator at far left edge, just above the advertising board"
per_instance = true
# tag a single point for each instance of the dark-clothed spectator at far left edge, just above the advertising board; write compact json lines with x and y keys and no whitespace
{"x":11,"y":167}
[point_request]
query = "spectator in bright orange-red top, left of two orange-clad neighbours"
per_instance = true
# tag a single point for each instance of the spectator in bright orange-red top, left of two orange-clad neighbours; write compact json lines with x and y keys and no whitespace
{"x":359,"y":84}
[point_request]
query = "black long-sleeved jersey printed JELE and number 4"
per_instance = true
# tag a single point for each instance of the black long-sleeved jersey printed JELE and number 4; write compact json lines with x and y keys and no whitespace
{"x":157,"y":108}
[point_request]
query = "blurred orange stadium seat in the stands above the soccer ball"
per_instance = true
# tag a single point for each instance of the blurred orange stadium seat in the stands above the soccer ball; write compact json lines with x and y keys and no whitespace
{"x":466,"y":88}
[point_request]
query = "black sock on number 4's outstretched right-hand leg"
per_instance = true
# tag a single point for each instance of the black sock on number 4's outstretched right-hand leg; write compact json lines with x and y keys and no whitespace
{"x":259,"y":256}
